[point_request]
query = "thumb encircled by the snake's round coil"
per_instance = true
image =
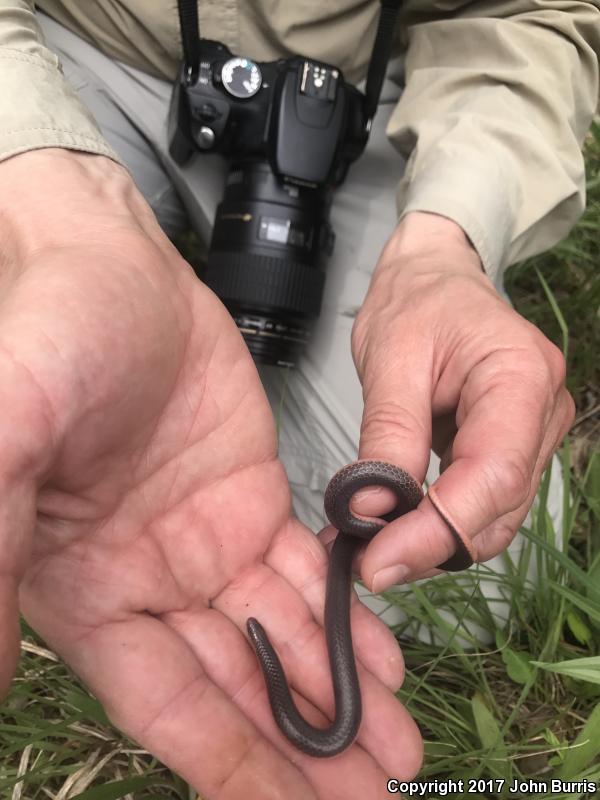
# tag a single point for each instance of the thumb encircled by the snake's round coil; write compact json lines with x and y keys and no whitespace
{"x":396,"y":423}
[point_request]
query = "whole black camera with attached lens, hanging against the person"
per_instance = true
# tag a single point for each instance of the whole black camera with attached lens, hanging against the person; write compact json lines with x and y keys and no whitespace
{"x":290,"y":129}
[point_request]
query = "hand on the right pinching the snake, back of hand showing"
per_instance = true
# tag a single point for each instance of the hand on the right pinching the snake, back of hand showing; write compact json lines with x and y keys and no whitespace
{"x":444,"y":361}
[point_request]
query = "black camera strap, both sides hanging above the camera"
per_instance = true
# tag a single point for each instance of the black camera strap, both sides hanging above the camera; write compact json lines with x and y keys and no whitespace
{"x":382,"y":47}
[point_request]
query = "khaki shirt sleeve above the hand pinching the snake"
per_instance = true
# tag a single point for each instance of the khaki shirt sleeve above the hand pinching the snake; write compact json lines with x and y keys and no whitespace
{"x":497,"y":103}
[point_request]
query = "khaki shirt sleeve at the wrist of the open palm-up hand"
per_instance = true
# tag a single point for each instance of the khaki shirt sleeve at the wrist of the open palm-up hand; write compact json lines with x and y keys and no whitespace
{"x":38,"y":108}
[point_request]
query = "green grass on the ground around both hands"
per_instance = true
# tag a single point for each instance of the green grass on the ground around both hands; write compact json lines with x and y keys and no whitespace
{"x":527,"y":706}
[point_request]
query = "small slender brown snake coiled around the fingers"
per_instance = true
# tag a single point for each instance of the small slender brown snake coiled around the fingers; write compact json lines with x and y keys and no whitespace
{"x":353,"y":533}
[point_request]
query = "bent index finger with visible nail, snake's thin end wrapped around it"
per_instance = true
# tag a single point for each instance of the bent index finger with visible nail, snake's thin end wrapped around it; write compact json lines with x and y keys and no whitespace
{"x":501,"y":421}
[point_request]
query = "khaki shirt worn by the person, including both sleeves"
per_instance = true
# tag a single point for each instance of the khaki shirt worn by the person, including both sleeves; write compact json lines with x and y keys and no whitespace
{"x":499,"y":93}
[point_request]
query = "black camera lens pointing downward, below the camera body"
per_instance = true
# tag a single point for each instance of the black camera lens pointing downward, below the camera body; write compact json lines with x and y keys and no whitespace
{"x":265,"y":260}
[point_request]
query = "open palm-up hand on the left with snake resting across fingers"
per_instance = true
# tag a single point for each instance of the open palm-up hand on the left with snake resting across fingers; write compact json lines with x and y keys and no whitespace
{"x":144,"y":515}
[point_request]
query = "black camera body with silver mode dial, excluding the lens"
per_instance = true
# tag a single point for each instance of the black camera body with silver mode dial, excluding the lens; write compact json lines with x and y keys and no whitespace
{"x":299,"y":114}
